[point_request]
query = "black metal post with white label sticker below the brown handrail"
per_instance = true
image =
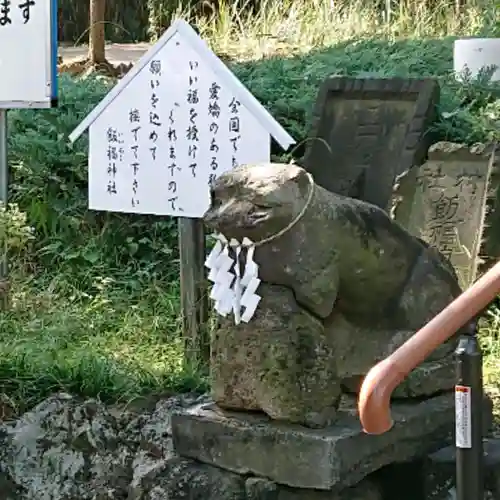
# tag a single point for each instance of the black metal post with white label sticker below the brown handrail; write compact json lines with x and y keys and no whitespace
{"x":469,"y":416}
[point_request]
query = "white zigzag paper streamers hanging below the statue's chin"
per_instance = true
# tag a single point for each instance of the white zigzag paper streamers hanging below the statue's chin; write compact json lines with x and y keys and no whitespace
{"x":233,"y":291}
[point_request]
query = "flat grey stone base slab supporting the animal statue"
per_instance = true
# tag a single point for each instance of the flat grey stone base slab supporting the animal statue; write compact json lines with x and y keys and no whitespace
{"x":324,"y":459}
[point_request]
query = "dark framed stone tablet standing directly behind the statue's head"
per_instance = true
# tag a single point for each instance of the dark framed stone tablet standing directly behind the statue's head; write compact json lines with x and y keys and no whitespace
{"x":367,"y":131}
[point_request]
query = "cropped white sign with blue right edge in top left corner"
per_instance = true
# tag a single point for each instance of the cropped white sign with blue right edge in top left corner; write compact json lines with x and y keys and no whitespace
{"x":28,"y":53}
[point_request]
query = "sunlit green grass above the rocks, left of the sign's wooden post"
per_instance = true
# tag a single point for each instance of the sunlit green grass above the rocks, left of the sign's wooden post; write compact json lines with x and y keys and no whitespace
{"x":100,"y":344}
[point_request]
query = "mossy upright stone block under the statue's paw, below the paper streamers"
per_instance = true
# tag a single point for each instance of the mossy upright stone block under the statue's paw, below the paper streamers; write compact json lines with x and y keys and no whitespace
{"x":281,"y":362}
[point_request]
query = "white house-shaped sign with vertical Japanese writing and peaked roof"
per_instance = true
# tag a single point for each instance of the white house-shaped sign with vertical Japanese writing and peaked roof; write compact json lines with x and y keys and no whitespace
{"x":176,"y":121}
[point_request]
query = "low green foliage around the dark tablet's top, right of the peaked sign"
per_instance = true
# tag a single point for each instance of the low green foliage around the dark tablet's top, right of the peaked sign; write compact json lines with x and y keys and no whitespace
{"x":288,"y":86}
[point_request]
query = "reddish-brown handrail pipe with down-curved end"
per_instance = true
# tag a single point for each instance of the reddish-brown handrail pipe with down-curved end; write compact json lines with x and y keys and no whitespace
{"x":383,"y":378}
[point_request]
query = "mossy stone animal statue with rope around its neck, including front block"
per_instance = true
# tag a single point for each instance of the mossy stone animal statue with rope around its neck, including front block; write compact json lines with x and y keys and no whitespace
{"x":342,"y":288}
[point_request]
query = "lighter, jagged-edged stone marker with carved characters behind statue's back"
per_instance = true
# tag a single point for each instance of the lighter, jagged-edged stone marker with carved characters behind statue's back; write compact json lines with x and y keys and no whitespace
{"x":449,"y":203}
